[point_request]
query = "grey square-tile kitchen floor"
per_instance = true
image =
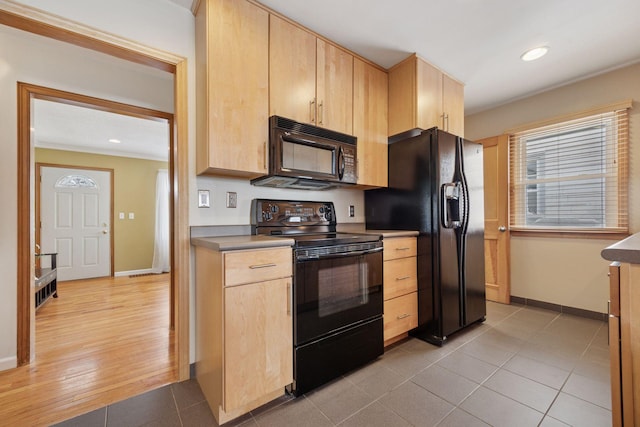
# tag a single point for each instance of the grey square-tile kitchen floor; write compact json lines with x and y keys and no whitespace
{"x":523,"y":367}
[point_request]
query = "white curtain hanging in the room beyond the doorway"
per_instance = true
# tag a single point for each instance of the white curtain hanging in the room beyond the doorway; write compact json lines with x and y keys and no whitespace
{"x":161,"y":262}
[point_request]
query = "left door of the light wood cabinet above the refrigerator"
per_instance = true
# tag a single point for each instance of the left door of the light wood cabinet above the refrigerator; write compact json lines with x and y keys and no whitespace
{"x":429,"y":96}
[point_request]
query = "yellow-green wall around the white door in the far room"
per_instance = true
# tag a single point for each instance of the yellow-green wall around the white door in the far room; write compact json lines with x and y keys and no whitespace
{"x":134,"y":191}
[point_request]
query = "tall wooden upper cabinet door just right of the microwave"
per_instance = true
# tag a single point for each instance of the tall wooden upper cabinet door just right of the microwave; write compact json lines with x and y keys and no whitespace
{"x":370,"y":101}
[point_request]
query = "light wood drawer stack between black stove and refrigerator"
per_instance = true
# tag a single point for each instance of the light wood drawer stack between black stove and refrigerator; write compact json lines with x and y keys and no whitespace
{"x":400,"y":287}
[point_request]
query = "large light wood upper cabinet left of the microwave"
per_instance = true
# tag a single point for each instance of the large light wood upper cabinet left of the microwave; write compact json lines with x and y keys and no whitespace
{"x":232,"y":77}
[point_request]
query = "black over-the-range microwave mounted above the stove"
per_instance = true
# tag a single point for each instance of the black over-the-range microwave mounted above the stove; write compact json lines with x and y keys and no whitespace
{"x":307,"y":157}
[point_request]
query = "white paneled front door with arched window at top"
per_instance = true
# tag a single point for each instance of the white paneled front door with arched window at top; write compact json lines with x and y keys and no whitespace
{"x":75,"y":215}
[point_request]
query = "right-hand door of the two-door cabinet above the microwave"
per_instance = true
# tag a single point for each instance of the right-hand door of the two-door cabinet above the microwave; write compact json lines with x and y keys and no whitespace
{"x":334,"y":88}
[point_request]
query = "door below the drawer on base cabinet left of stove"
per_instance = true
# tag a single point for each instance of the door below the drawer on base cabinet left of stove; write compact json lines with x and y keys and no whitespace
{"x":258,"y":341}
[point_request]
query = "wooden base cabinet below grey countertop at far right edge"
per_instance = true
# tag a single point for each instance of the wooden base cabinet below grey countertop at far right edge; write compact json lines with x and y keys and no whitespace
{"x":624,"y":343}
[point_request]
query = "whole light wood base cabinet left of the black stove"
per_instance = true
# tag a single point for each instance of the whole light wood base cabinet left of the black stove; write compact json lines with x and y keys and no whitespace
{"x":244,"y":342}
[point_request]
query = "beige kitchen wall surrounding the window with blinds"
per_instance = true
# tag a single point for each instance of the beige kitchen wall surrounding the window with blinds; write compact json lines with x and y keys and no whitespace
{"x":567,"y":271}
